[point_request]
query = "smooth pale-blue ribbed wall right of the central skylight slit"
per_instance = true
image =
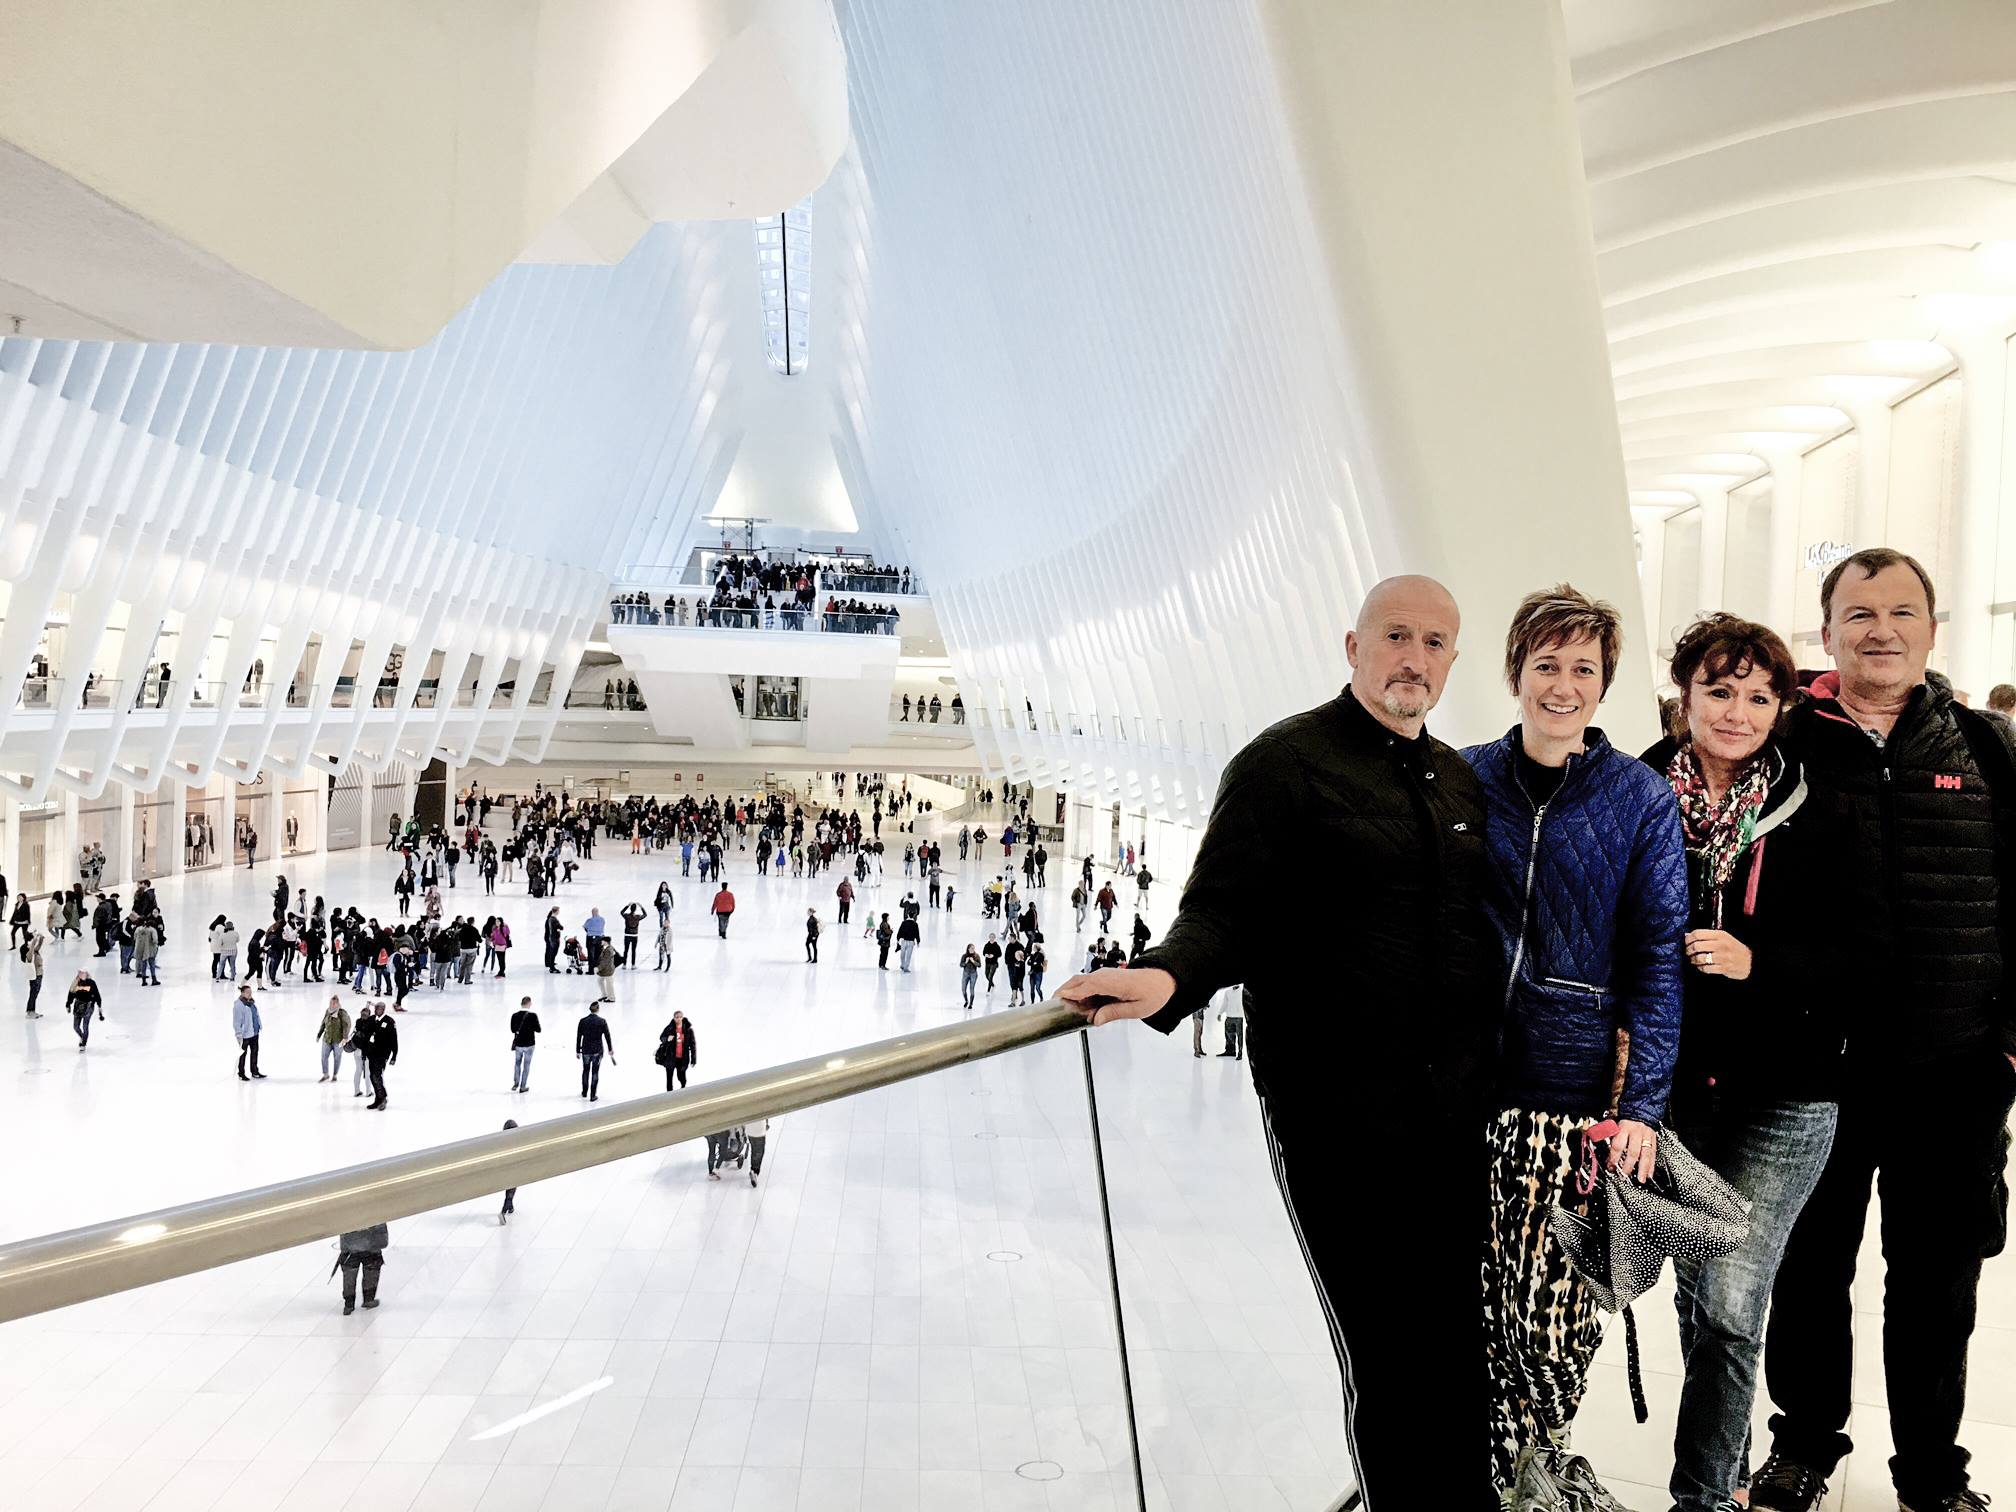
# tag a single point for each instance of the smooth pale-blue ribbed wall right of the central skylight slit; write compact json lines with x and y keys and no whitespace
{"x":1082,"y":368}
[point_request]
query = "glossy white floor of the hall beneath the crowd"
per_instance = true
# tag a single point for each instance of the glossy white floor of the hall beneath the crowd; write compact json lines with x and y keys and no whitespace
{"x":910,"y":1313}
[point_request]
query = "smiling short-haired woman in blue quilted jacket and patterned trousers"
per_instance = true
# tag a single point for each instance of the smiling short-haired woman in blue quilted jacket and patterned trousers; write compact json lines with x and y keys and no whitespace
{"x":1590,"y":898}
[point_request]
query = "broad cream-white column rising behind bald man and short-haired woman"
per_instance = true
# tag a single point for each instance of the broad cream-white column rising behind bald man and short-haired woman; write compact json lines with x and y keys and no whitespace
{"x":1465,"y":311}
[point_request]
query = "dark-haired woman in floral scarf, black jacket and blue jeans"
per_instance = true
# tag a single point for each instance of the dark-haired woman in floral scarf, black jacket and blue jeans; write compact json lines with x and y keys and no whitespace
{"x":1763,"y":1027}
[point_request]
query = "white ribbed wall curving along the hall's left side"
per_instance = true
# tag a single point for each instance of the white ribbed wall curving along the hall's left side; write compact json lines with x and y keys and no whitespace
{"x":463,"y":503}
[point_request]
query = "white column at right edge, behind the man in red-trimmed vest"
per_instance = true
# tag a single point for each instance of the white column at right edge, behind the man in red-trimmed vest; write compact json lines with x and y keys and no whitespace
{"x":1971,"y":588}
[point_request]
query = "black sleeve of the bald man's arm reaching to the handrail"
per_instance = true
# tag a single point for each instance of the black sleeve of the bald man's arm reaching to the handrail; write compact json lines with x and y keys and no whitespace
{"x":1219,"y":922}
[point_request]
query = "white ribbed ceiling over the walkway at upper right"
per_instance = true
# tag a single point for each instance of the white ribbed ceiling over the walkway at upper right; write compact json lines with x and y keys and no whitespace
{"x":1797,"y":203}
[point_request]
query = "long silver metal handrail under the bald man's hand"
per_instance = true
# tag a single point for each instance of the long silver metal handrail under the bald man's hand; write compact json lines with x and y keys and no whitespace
{"x":61,"y":1269}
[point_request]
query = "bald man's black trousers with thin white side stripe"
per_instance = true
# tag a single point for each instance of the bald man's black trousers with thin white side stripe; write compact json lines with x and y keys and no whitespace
{"x":1388,"y":1209}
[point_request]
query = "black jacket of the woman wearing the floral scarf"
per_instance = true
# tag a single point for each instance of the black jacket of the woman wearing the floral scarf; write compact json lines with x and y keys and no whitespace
{"x":1777,"y":1035}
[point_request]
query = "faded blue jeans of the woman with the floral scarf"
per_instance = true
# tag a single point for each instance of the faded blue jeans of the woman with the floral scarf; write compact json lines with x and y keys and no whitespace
{"x":1773,"y":1154}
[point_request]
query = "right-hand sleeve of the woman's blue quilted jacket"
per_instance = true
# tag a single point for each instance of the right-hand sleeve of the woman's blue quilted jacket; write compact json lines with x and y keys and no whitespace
{"x":1654,"y":926}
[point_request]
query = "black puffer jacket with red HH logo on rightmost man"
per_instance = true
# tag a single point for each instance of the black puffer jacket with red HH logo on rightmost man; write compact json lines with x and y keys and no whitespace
{"x":1924,"y":900}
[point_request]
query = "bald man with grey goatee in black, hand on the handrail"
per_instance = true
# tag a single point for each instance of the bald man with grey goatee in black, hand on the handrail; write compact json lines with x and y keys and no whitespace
{"x":1342,"y":880}
